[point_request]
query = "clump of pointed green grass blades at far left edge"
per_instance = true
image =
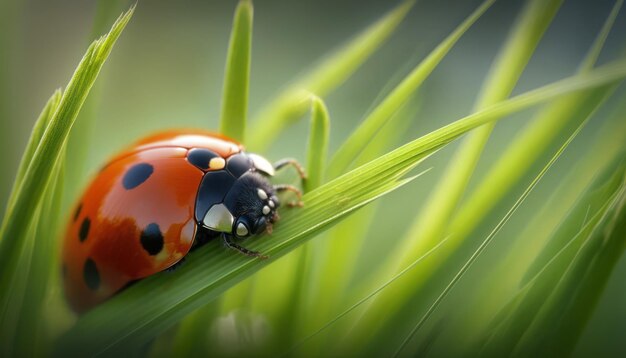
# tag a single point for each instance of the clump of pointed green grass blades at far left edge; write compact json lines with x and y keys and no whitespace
{"x":38,"y":171}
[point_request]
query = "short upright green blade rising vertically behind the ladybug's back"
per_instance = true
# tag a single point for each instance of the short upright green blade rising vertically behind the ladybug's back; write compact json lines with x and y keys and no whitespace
{"x":237,"y":74}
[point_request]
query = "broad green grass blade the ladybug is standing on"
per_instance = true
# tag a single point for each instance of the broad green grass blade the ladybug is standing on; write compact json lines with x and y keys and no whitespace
{"x":128,"y":319}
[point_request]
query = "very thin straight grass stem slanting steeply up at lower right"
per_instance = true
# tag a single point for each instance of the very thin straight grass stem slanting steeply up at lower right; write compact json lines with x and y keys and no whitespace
{"x":481,"y":248}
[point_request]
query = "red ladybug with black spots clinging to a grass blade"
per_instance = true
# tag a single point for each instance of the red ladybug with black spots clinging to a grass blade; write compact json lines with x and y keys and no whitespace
{"x":157,"y":200}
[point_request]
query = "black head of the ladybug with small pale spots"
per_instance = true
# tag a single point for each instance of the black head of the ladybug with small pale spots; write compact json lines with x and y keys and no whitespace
{"x":253,"y":203}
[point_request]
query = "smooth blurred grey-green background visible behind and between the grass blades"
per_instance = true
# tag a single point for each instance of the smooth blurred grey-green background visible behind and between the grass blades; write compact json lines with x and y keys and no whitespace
{"x":167,"y":71}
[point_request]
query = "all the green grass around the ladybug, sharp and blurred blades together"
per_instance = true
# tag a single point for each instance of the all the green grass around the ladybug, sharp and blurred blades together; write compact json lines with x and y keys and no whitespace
{"x":323,"y":297}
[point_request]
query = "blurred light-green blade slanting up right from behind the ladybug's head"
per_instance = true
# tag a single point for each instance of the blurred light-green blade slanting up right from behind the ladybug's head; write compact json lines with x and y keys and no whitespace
{"x":324,"y":78}
